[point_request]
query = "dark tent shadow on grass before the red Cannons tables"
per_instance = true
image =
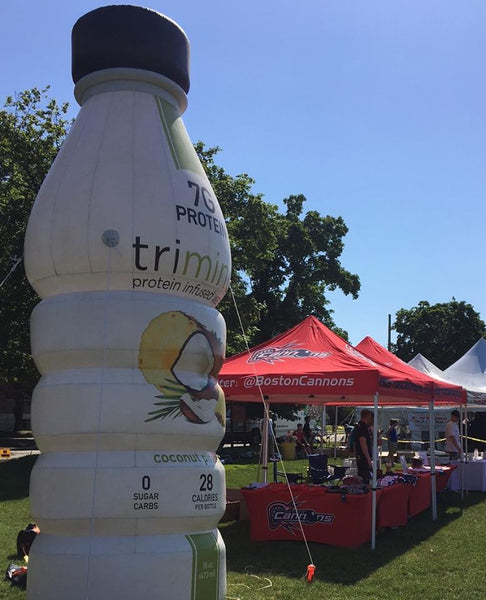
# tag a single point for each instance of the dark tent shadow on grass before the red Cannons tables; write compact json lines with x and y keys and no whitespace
{"x":339,"y":565}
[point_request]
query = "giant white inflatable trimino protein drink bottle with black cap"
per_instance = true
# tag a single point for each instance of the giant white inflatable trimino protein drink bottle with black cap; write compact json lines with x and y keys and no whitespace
{"x":128,"y":249}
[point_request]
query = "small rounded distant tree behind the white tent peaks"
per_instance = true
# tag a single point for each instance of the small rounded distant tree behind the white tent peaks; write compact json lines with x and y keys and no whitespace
{"x":441,"y":332}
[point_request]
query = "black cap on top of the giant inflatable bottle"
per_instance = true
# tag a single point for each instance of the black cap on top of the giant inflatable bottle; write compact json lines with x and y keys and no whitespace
{"x":133,"y":37}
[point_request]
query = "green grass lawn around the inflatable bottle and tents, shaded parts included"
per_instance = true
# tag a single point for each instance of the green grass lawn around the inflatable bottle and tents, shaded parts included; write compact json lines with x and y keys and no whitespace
{"x":441,"y":560}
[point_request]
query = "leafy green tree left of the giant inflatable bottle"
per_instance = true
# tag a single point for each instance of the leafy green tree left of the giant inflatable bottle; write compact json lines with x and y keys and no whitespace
{"x":32,"y":128}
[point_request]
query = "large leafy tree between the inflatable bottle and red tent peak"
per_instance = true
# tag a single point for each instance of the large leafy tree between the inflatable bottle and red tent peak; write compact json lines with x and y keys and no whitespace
{"x":283,"y":263}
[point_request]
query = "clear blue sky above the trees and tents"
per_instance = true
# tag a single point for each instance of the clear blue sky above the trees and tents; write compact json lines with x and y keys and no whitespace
{"x":374,"y":110}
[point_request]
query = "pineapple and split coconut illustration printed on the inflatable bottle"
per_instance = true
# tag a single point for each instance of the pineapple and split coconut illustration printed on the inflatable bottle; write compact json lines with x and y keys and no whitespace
{"x":182,"y":359}
